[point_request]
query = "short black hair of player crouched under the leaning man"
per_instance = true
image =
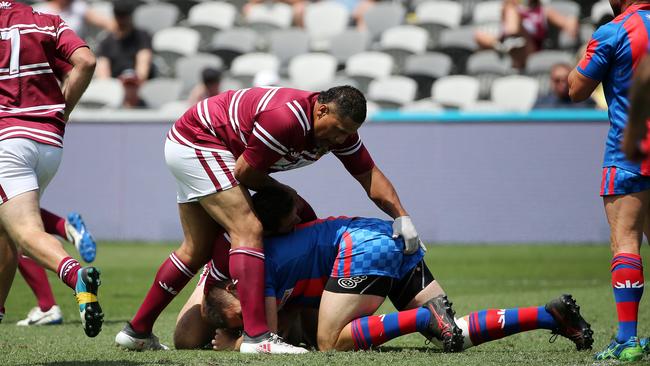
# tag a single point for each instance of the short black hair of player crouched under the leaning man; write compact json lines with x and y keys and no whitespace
{"x":271,"y":206}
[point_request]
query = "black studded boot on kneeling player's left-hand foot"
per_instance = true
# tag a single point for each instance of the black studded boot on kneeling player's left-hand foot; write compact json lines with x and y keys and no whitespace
{"x":442,"y":325}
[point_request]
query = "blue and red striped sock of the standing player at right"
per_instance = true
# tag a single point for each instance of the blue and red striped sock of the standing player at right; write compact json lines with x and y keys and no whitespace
{"x":627,"y":283}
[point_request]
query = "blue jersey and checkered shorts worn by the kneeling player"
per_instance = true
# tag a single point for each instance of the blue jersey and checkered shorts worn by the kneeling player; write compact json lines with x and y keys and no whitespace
{"x":299,"y":264}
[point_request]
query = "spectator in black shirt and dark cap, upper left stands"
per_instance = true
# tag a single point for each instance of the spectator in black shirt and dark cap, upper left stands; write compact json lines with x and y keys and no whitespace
{"x":125,"y":53}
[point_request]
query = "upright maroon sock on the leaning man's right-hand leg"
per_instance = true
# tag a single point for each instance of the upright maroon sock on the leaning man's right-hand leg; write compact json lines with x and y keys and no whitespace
{"x":247,"y":268}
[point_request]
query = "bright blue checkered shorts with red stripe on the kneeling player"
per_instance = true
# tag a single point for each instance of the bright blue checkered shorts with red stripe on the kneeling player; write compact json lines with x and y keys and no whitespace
{"x":367,"y":248}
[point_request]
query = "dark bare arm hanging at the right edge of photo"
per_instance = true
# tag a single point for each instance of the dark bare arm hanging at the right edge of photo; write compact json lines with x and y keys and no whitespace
{"x":636,"y":129}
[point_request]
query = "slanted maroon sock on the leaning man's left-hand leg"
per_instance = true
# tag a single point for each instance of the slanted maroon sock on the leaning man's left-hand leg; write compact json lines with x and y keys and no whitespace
{"x":172,"y":276}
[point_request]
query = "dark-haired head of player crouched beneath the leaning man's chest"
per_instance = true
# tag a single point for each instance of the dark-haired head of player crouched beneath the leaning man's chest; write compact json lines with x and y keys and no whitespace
{"x":277,"y":210}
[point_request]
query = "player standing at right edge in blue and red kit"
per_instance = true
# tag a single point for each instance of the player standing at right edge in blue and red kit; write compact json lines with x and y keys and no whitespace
{"x":612,"y":55}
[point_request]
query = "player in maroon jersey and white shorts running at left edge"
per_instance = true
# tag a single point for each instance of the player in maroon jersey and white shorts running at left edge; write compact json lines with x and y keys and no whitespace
{"x":36,"y":52}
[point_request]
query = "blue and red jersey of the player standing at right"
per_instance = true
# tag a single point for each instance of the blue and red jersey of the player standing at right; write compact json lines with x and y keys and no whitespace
{"x":612,"y":55}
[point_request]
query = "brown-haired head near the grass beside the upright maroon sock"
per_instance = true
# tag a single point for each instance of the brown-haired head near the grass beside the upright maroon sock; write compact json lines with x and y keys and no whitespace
{"x":221,"y":307}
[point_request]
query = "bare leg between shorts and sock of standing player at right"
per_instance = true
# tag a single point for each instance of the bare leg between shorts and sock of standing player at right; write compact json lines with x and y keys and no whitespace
{"x":626,"y":216}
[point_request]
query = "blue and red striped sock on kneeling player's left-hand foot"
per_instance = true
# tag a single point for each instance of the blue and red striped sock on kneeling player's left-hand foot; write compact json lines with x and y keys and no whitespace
{"x":378,"y":329}
